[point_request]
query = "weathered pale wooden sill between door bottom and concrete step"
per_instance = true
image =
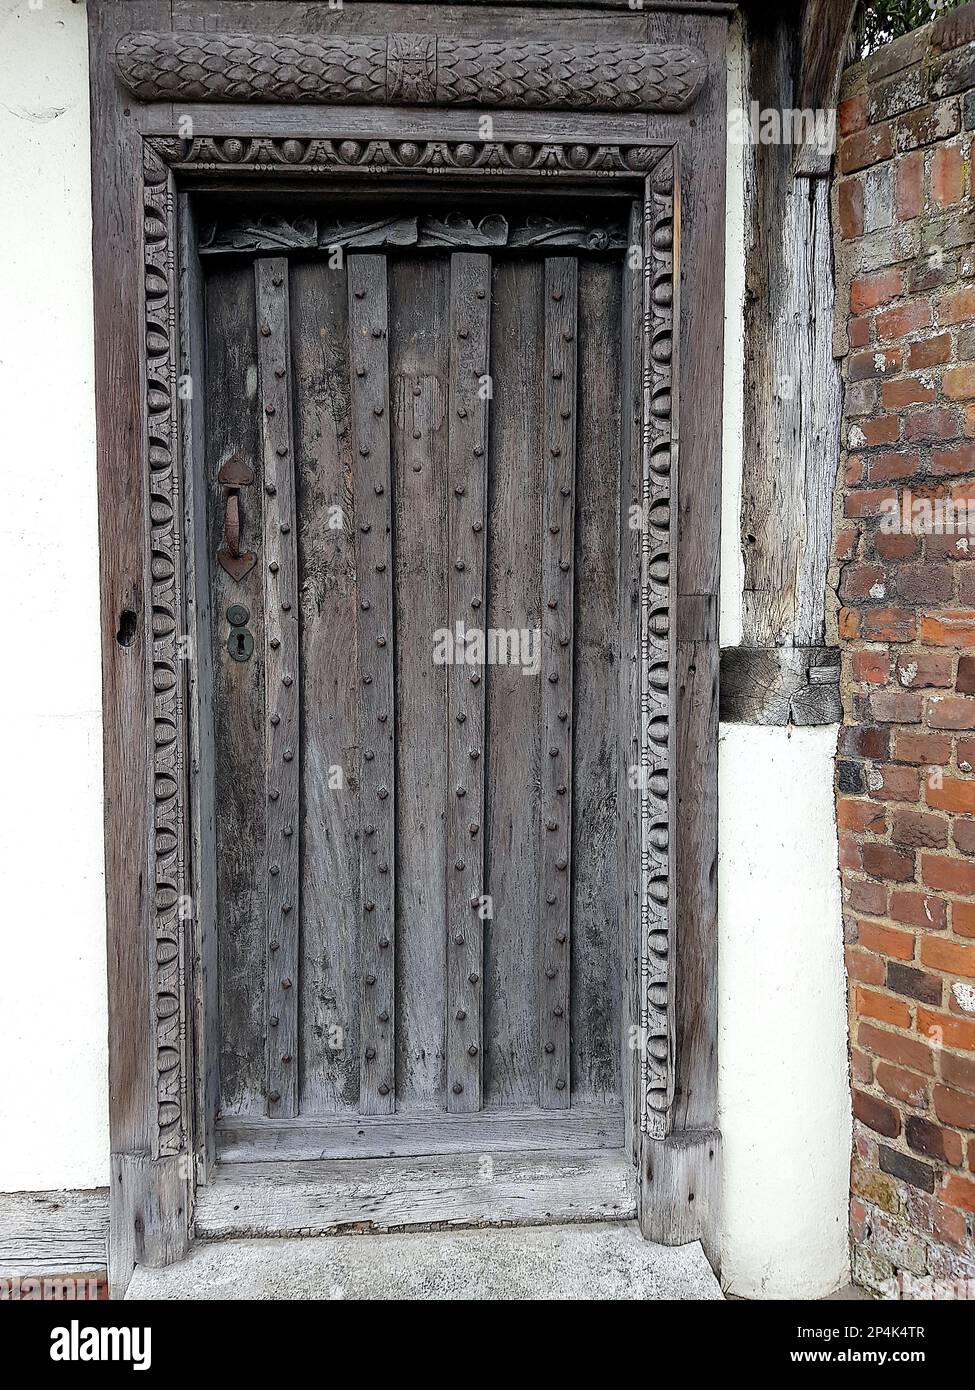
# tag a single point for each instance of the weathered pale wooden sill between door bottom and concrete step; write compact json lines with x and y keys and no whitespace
{"x":337,"y":1196}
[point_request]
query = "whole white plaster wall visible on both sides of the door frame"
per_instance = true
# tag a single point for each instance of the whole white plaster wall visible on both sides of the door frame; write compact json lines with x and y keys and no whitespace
{"x":784,"y":1092}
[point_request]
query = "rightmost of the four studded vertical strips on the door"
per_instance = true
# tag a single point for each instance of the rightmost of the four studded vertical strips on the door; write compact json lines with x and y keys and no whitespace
{"x":557,"y":669}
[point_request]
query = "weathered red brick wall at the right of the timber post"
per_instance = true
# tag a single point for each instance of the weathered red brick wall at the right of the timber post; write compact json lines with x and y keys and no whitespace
{"x":905,"y":220}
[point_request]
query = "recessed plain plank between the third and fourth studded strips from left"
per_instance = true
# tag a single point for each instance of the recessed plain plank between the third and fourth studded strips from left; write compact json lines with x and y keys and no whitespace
{"x":514,"y":696}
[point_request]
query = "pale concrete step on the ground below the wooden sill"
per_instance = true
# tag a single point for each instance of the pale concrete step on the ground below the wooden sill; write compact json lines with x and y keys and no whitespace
{"x":600,"y":1261}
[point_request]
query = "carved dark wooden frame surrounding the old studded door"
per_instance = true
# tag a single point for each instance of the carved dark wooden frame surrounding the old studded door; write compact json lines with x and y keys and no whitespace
{"x":179,"y":112}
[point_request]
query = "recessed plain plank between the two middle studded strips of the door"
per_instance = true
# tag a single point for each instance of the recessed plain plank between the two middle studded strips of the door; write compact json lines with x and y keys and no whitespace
{"x":418,"y":401}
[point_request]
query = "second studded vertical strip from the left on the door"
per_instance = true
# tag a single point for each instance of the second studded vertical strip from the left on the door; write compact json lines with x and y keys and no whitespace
{"x":371,"y":408}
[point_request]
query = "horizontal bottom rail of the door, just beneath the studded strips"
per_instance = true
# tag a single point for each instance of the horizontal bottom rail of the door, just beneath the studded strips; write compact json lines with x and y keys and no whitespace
{"x":247,"y":1140}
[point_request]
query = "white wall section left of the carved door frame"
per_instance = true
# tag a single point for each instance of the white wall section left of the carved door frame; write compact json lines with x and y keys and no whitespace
{"x":54,"y":1100}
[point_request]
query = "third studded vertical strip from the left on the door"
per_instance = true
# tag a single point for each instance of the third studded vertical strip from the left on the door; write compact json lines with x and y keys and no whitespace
{"x":471,"y":326}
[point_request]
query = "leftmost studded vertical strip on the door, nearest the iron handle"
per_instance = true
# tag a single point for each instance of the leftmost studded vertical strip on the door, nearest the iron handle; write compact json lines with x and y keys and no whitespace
{"x":283,"y":767}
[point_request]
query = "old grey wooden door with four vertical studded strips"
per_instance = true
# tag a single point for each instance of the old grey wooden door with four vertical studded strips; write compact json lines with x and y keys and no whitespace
{"x":414,"y":458}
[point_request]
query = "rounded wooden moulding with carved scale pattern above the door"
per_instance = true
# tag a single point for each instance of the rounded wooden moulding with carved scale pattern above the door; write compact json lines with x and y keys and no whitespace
{"x":410,"y":70}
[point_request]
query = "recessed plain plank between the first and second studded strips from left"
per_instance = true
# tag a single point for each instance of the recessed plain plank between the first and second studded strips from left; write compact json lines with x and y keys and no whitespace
{"x":329,"y":972}
